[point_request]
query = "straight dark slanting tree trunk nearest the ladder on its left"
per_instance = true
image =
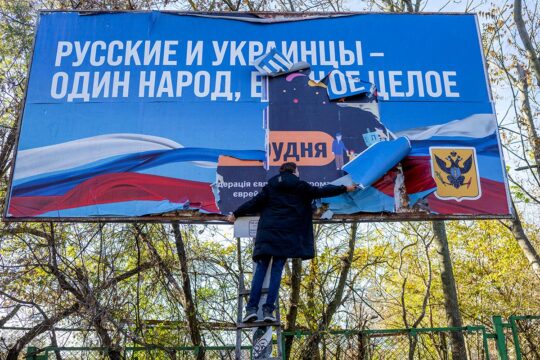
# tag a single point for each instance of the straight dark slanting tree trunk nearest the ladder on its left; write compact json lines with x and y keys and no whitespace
{"x":191,"y":311}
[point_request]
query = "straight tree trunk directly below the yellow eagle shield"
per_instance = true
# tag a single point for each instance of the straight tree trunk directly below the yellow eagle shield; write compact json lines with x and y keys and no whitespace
{"x":453,"y":316}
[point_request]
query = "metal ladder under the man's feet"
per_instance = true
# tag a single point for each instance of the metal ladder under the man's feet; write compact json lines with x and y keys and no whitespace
{"x":262,"y":332}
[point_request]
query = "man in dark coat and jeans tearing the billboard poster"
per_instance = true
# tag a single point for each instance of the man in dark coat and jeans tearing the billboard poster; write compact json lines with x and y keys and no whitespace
{"x":285,"y":230}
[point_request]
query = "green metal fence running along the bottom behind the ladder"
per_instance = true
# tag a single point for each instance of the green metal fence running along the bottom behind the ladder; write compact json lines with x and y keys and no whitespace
{"x":517,"y":339}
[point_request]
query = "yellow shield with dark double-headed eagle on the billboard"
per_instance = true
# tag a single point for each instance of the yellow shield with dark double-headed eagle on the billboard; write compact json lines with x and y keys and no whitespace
{"x":455,"y":171}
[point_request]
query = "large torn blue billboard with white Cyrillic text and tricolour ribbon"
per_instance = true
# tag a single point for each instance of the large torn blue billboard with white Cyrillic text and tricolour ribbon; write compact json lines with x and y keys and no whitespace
{"x":160,"y":115}
